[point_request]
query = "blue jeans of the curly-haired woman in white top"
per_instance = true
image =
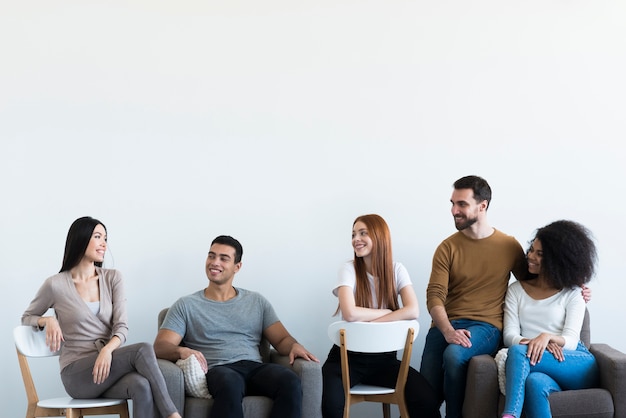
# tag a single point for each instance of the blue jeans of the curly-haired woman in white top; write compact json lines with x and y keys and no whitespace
{"x":529,"y":386}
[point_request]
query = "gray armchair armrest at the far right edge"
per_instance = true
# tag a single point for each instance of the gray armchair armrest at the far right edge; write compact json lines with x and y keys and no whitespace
{"x":612,"y":364}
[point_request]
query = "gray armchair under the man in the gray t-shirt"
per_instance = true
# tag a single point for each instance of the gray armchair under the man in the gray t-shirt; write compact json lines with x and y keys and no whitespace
{"x":254,"y":406}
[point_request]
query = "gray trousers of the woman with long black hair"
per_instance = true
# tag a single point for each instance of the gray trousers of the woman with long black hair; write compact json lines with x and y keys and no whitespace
{"x":134,"y":375}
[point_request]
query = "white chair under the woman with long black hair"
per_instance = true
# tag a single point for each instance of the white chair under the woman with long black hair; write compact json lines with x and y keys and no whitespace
{"x":32,"y":343}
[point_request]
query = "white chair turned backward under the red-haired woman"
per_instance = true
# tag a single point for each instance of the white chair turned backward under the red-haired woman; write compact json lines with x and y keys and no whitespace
{"x":375,"y":337}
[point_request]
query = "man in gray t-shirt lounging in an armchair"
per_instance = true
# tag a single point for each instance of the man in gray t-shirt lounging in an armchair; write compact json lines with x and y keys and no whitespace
{"x":223,"y":326}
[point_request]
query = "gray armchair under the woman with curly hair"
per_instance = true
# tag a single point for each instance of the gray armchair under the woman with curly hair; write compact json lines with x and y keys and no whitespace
{"x":484,"y":400}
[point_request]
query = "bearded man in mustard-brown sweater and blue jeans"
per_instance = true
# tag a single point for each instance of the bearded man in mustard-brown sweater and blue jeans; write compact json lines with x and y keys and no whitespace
{"x":465,"y":295}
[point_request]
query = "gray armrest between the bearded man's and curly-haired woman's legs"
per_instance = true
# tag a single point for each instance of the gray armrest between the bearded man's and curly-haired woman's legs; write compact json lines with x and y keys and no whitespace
{"x":482,"y":390}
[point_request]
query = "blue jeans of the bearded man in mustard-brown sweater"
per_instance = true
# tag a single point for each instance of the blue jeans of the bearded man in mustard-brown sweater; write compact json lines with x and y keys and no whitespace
{"x":445,"y":365}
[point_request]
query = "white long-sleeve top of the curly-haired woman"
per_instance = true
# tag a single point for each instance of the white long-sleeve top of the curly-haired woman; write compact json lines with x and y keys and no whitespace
{"x":561,"y":314}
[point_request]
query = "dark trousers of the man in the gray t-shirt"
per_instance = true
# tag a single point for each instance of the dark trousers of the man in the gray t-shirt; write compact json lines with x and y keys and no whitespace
{"x":229,"y":383}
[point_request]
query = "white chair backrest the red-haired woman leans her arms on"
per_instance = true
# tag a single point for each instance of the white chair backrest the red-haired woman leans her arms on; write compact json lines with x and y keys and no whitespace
{"x":373,"y":337}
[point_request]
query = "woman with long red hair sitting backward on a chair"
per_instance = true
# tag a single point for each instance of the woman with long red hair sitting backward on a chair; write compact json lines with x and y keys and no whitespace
{"x":368,"y":289}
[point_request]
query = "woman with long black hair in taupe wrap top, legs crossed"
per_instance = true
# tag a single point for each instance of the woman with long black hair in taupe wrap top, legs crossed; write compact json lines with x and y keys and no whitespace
{"x":89,"y":326}
